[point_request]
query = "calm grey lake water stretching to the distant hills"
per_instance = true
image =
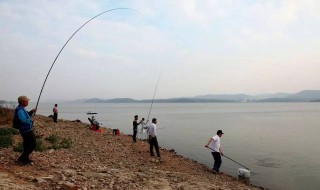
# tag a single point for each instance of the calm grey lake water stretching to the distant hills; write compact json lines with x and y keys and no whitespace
{"x":279,"y":142}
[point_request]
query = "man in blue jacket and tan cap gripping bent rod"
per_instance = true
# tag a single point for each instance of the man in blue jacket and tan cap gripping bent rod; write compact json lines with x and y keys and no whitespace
{"x":22,"y":120}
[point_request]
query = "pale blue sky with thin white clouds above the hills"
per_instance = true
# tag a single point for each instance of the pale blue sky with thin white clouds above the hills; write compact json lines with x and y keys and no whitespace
{"x":194,"y":47}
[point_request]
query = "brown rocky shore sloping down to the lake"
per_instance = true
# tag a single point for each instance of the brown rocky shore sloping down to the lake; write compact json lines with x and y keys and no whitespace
{"x":104,"y":161}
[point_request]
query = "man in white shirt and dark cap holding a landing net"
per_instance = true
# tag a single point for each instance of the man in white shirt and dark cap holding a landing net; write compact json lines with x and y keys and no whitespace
{"x":216,"y":151}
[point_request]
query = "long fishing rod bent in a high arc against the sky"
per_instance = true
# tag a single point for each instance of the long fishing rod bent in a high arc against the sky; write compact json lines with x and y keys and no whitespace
{"x":68,"y":42}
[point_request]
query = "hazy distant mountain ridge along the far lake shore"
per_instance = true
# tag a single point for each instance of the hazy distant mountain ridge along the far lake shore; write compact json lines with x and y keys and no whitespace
{"x":302,"y":96}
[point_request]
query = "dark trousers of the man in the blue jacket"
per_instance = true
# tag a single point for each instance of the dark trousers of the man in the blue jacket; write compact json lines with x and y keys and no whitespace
{"x":29,"y":144}
